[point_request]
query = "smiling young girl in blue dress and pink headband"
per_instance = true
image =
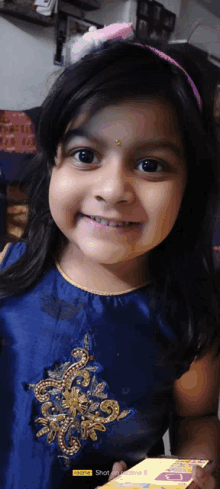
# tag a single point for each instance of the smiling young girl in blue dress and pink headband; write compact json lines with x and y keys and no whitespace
{"x":110,"y":293}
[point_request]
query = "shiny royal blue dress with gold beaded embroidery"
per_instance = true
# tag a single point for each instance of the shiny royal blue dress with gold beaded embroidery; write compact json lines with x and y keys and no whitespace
{"x":80,"y":384}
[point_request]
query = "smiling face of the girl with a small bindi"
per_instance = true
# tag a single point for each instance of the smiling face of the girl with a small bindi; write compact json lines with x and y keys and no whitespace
{"x":142,"y":180}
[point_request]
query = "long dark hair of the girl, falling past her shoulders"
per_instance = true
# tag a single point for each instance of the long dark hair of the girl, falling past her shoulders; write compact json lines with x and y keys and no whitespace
{"x":182,"y":268}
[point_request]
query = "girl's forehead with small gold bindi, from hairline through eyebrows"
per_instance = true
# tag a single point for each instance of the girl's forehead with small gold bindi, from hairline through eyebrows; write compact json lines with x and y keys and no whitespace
{"x":143,"y":126}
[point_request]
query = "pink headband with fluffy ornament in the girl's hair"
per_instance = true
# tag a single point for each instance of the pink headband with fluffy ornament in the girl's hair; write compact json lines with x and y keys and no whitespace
{"x":82,"y":46}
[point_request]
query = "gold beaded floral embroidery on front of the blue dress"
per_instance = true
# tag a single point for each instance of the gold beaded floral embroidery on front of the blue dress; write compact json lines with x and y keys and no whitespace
{"x":68,"y":412}
